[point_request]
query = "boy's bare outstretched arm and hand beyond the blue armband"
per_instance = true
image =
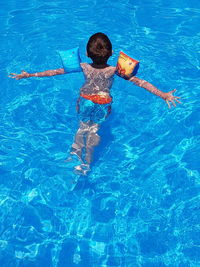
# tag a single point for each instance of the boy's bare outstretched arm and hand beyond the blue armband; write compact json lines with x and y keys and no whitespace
{"x":46,"y":73}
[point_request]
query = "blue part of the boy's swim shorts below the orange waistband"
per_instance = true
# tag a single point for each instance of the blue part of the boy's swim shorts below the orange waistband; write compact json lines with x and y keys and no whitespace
{"x":90,"y":111}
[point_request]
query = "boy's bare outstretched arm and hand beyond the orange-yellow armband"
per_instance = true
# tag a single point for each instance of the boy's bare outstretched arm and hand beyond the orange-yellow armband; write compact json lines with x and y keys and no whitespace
{"x":168,"y":97}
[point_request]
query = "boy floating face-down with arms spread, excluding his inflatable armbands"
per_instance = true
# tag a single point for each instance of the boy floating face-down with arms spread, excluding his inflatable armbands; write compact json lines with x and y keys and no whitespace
{"x":94,"y":103}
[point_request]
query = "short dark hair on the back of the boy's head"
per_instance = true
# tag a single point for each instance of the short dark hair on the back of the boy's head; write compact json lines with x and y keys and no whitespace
{"x":99,"y":48}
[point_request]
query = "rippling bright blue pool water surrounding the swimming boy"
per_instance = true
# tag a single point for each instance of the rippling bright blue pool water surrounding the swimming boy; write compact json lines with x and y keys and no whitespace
{"x":140,"y":204}
